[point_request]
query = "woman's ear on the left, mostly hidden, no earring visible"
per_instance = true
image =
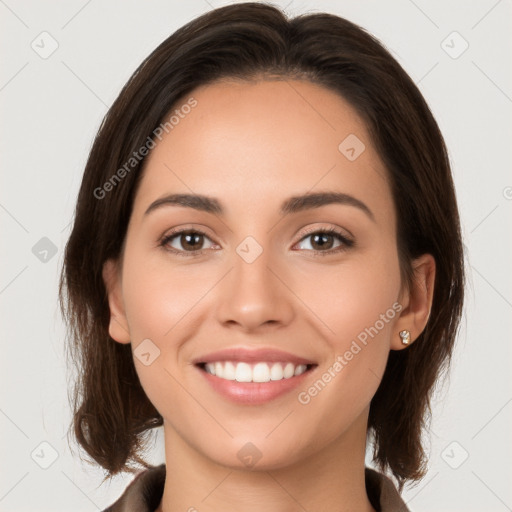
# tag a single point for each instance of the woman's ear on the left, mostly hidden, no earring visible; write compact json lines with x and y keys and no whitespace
{"x":118,"y":326}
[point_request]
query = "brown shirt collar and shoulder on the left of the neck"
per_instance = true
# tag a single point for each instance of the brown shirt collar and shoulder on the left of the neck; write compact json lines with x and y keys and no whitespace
{"x":143,"y":493}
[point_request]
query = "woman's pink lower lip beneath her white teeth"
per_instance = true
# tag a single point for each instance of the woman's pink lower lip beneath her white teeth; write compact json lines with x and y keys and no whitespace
{"x":254,"y":393}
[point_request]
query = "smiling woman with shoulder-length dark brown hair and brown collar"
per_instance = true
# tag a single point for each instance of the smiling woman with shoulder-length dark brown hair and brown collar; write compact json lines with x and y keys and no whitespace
{"x":266,"y":260}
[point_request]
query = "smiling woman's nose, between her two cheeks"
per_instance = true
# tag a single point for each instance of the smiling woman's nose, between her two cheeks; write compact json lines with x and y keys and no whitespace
{"x":254,"y":295}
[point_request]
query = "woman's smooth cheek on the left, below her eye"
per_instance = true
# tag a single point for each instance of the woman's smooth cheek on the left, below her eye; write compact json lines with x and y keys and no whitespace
{"x":162,"y":306}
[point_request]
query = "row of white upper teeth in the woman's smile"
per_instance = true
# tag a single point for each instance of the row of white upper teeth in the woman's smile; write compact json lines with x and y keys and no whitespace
{"x":259,"y":372}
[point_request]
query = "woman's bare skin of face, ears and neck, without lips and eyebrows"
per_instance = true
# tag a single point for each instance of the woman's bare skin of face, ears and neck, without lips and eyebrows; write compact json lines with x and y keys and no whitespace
{"x":251,"y":146}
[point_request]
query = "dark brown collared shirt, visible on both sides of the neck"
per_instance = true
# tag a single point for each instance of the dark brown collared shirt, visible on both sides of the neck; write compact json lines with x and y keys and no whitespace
{"x":145,"y":492}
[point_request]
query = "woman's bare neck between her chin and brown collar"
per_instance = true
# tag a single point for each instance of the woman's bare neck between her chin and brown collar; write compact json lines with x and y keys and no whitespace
{"x":331,"y":479}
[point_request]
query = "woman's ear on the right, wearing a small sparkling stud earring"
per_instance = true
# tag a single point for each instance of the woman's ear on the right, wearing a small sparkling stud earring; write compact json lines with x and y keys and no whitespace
{"x":416,"y":301}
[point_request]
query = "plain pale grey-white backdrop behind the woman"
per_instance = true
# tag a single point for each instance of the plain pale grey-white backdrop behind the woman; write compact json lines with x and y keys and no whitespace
{"x":459,"y":54}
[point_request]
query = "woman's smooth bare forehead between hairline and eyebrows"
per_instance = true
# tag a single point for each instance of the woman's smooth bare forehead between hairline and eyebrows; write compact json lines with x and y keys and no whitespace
{"x":261,"y":141}
